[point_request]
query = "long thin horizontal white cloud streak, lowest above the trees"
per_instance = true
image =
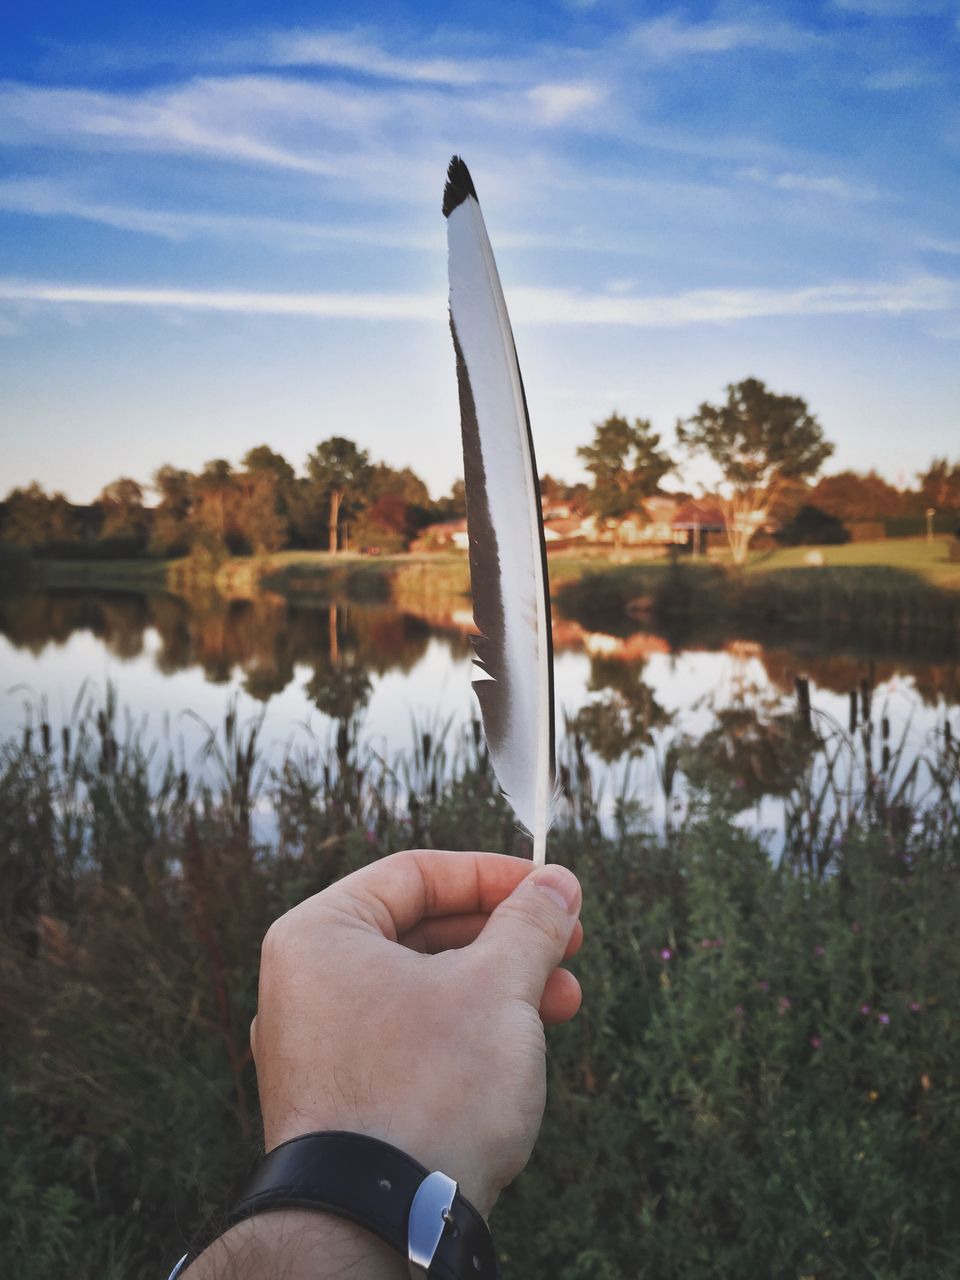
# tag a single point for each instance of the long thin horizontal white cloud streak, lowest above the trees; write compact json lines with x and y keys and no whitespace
{"x":532,"y":307}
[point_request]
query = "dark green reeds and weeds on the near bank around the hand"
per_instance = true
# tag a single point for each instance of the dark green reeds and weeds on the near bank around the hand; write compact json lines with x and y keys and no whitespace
{"x":764,"y":1081}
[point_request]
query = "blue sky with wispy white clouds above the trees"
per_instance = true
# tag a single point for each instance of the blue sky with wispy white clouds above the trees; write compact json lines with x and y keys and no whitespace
{"x":221,"y":225}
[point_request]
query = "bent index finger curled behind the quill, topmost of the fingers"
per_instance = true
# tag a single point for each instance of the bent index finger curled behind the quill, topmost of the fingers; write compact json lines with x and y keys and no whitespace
{"x":405,"y":889}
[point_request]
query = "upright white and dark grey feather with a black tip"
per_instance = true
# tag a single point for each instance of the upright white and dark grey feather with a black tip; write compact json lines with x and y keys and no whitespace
{"x":514,"y":650}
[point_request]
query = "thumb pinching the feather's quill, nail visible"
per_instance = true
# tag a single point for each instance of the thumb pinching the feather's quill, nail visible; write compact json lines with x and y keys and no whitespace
{"x":529,"y":932}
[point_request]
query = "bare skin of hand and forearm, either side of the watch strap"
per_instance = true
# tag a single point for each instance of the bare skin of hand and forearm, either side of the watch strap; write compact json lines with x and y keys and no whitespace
{"x":408,"y":1003}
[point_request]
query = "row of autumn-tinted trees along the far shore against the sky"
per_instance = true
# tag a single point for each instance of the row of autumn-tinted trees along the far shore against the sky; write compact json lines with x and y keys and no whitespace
{"x":767,"y":451}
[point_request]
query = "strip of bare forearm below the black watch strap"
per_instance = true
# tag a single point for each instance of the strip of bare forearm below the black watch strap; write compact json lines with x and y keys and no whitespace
{"x":298,"y":1245}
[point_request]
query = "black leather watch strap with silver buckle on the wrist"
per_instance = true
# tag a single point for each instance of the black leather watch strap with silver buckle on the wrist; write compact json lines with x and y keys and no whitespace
{"x":369,"y":1183}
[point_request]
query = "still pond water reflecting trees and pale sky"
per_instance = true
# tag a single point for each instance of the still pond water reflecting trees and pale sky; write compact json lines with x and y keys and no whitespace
{"x":177,"y":666}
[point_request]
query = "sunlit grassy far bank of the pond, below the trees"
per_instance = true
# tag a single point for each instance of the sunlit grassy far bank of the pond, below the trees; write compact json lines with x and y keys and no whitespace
{"x":885,"y":596}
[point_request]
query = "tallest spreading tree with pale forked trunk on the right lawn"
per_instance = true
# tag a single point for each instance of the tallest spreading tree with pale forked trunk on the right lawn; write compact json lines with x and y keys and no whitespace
{"x":761,"y":442}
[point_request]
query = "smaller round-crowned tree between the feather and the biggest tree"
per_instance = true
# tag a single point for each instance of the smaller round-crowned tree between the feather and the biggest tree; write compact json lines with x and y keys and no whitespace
{"x":628,"y":467}
